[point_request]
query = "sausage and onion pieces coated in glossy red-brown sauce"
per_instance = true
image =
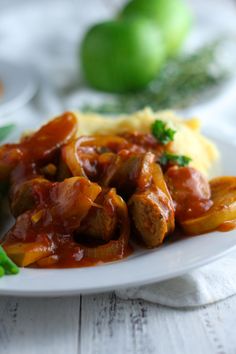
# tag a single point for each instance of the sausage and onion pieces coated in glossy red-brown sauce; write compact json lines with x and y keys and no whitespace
{"x":78,"y":201}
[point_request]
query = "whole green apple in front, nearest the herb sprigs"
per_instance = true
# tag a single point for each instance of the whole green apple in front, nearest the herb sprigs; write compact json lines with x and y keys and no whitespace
{"x":123,"y":55}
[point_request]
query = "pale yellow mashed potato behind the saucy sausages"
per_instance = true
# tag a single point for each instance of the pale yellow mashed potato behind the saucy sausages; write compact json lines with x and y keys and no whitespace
{"x":188,"y":139}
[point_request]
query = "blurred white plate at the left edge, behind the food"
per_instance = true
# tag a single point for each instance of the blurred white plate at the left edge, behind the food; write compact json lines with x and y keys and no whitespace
{"x":19,"y":86}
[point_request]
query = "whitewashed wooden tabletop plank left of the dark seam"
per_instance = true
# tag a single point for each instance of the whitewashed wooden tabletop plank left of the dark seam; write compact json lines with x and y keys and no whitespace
{"x":36,"y":326}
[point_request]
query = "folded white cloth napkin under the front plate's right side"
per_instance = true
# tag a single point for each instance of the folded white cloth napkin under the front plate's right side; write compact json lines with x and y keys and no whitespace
{"x":205,"y":285}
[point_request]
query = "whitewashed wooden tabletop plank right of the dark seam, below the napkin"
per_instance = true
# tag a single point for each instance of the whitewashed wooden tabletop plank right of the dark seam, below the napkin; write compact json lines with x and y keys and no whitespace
{"x":111,"y":325}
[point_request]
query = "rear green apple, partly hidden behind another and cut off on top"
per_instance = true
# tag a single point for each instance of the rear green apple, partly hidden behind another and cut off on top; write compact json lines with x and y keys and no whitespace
{"x":172,"y":16}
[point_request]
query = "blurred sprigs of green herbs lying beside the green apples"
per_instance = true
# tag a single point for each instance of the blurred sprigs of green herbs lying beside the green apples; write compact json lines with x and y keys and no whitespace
{"x":181,"y":82}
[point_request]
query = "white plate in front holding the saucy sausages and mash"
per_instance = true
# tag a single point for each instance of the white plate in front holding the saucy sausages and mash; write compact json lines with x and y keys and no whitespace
{"x":143,"y":267}
